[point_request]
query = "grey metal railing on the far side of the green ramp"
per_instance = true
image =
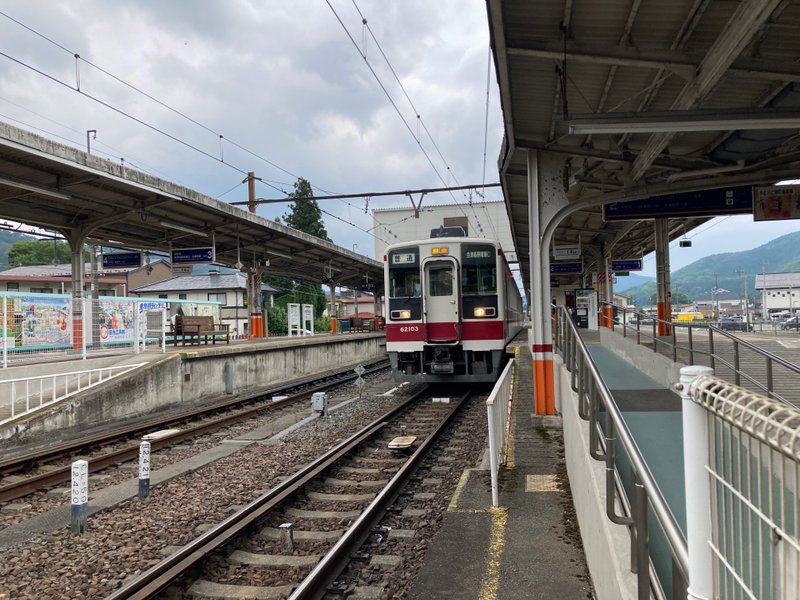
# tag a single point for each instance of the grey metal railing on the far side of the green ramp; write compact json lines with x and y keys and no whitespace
{"x":714,"y":357}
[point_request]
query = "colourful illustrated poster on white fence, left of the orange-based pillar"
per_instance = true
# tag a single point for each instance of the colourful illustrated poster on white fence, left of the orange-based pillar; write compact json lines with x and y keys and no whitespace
{"x":45,"y":321}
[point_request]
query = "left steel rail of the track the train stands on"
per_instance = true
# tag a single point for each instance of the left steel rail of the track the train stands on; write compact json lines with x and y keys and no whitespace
{"x":160,"y":576}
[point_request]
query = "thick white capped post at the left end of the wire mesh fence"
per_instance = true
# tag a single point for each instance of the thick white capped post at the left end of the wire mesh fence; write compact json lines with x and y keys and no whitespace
{"x":698,"y":489}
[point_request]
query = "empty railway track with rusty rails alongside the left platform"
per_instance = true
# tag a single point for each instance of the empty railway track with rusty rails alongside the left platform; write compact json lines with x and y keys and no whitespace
{"x":188,"y":425}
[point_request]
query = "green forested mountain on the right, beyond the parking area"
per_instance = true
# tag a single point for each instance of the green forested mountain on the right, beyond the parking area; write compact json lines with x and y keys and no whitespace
{"x":727,"y":271}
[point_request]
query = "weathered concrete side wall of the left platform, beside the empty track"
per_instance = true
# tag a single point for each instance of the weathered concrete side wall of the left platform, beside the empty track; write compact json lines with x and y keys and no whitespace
{"x":182,"y":379}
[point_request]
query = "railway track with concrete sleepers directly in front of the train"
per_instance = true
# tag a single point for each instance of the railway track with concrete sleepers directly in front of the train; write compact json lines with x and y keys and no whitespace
{"x":295,"y":540}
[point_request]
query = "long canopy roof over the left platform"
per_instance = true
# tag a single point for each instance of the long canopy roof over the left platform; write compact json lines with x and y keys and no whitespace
{"x":68,"y":191}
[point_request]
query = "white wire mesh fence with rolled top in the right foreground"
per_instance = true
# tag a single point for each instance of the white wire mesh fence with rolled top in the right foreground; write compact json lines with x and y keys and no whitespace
{"x":753,"y":468}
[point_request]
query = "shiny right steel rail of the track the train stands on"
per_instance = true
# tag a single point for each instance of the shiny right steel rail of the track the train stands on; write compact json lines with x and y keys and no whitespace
{"x":314,"y":586}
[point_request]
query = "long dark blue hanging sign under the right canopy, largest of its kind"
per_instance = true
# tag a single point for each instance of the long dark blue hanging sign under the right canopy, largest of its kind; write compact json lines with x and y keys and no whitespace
{"x":704,"y":203}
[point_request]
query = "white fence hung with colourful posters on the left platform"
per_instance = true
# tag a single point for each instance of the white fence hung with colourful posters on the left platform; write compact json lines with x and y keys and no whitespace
{"x":35,"y":326}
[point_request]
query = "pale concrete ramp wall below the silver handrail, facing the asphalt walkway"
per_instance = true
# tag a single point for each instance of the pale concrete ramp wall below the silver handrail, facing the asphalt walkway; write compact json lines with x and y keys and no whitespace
{"x":606,"y":545}
